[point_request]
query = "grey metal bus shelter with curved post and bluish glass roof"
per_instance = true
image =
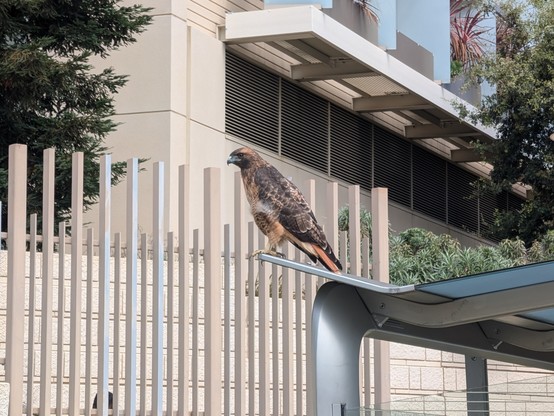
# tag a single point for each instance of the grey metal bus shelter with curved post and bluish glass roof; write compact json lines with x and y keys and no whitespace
{"x":506,"y":315}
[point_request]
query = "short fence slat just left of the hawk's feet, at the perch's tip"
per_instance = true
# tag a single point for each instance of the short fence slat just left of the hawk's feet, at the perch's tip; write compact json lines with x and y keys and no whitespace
{"x":251,"y":322}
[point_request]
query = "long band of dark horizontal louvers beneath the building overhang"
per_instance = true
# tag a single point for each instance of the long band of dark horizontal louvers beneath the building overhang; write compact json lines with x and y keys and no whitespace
{"x":278,"y":115}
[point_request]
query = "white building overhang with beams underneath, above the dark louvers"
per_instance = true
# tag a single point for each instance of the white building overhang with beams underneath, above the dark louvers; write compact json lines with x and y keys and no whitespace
{"x":319,"y":49}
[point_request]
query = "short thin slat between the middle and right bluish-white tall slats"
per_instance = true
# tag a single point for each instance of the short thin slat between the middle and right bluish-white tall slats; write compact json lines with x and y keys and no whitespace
{"x":143,"y":321}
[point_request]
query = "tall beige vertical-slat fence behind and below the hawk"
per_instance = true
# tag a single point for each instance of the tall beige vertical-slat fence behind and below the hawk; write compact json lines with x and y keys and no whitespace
{"x":166,"y":326}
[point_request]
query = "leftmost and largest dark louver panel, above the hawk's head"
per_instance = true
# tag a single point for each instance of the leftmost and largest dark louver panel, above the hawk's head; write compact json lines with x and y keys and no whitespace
{"x":251,"y":103}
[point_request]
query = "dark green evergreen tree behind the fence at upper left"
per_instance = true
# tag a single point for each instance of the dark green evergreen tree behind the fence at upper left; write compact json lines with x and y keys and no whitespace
{"x":49,"y":95}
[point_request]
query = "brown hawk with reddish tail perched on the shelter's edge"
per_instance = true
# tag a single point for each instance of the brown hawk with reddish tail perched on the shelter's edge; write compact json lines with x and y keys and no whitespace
{"x":280,"y":210}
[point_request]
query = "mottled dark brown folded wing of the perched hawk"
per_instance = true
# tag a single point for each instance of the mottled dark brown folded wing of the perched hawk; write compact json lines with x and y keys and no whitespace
{"x":295,"y":215}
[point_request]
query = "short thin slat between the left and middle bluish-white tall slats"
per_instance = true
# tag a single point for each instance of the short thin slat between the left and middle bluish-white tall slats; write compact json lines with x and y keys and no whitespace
{"x":117,"y":322}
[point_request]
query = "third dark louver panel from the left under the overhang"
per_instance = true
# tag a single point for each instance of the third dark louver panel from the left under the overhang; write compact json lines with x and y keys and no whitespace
{"x":351,"y":148}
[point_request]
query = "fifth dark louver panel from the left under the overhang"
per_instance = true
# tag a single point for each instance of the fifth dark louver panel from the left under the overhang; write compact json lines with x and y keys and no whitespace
{"x":429,"y":176}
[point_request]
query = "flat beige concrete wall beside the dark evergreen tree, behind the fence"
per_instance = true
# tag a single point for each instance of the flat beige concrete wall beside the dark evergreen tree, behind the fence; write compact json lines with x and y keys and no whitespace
{"x":151,"y":109}
